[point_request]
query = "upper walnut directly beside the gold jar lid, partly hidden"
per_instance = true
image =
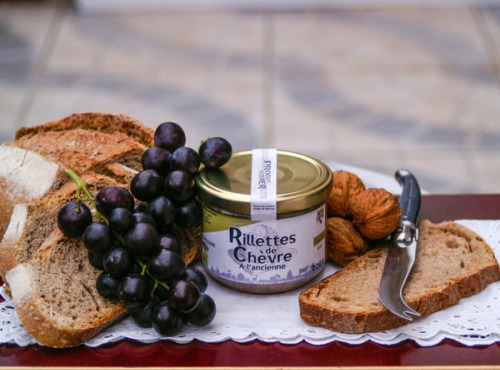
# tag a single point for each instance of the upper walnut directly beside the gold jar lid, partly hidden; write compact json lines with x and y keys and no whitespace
{"x":346,"y":185}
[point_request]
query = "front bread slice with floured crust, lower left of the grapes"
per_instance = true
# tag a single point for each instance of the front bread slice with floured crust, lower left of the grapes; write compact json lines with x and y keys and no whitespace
{"x":55,"y":297}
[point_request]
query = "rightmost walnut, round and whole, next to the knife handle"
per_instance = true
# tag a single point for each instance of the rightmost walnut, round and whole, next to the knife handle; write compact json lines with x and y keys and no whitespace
{"x":376,"y":213}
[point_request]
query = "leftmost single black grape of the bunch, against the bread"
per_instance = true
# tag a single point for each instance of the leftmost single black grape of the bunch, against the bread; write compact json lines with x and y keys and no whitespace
{"x":73,"y":219}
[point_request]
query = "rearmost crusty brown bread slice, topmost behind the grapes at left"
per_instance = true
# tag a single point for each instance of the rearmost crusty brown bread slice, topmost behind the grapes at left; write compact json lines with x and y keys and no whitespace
{"x":87,"y":141}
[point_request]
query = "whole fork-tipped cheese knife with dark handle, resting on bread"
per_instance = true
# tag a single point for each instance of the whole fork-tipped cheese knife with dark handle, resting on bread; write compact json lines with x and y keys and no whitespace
{"x":402,"y":249}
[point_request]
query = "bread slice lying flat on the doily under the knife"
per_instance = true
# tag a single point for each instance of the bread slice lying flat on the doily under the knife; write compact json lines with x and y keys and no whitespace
{"x":452,"y":262}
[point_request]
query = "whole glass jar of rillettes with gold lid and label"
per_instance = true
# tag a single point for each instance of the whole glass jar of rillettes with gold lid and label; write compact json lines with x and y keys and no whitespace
{"x":279,"y":247}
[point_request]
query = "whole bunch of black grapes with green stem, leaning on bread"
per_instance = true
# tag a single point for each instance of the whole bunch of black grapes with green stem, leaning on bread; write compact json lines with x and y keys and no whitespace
{"x":135,"y":238}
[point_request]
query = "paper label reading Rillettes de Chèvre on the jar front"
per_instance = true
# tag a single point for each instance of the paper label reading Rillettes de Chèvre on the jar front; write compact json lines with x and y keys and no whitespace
{"x":264,"y":252}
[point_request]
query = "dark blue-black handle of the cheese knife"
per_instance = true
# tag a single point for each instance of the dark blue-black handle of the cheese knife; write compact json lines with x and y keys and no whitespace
{"x":410,"y":197}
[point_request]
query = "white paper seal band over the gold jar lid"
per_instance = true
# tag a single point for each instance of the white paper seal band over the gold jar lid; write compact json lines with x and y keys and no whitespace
{"x":263,"y":184}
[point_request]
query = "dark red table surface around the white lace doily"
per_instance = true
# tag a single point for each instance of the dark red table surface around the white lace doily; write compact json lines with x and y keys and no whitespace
{"x":131,"y":354}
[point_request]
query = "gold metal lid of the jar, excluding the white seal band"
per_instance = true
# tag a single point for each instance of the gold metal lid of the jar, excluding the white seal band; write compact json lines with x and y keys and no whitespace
{"x":302,"y":183}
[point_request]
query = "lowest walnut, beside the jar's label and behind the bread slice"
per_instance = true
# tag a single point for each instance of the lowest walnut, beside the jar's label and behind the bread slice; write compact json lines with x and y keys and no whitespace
{"x":343,"y":242}
